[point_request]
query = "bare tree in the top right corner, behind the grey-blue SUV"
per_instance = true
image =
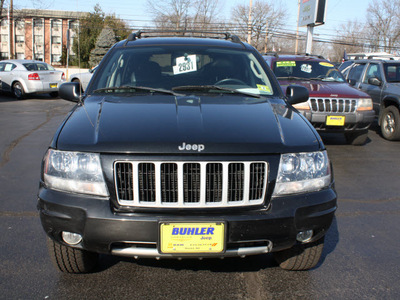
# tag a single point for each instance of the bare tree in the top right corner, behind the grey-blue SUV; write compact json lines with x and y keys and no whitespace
{"x":383,"y":19}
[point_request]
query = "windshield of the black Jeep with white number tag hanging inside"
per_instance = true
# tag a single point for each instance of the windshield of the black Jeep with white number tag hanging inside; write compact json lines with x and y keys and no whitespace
{"x":184,"y":69}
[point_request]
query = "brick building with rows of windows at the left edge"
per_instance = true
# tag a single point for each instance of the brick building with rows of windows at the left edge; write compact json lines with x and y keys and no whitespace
{"x":38,"y":34}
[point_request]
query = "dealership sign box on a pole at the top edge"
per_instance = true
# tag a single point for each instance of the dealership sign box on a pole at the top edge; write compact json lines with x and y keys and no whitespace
{"x":312,"y":12}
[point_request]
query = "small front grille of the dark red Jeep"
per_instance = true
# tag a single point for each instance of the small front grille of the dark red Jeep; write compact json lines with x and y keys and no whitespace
{"x":333,"y":105}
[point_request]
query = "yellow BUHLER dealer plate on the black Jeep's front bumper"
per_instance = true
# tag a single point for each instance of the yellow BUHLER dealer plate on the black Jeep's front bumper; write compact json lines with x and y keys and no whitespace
{"x":192,"y":237}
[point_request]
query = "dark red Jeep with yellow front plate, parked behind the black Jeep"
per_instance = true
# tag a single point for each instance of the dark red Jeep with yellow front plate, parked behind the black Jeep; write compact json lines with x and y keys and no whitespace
{"x":333,"y":106}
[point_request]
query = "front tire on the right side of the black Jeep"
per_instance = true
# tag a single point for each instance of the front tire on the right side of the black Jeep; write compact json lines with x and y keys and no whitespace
{"x":300,"y":257}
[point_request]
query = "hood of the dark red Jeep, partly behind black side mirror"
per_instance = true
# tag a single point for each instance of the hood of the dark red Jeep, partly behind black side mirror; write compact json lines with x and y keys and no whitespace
{"x":318,"y":88}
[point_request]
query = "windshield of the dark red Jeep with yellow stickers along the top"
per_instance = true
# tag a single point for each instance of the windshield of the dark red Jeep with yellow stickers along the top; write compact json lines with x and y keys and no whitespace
{"x":307,"y":70}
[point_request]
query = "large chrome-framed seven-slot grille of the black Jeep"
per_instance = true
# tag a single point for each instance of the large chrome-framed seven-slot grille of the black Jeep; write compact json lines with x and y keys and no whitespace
{"x":190,"y":184}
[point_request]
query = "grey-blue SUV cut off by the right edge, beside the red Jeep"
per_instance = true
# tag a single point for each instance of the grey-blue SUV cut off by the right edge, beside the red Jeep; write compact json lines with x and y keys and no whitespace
{"x":381,"y":80}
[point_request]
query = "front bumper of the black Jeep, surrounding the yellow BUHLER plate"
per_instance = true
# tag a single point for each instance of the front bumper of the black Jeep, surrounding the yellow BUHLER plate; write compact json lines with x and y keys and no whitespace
{"x":248,"y":232}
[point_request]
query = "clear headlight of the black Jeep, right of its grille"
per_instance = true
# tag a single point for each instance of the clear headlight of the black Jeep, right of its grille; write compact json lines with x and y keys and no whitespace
{"x":302,"y":172}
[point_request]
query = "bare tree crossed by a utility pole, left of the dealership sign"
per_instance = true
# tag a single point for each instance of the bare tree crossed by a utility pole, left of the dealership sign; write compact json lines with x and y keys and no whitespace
{"x":266,"y":18}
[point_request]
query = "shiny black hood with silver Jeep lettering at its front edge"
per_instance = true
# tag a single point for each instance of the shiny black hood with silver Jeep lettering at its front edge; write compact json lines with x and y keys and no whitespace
{"x":185,"y":125}
